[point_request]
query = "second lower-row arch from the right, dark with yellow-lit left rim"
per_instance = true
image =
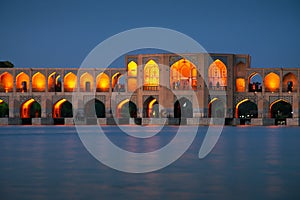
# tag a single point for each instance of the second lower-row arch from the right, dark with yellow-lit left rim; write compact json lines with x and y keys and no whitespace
{"x":246,"y":109}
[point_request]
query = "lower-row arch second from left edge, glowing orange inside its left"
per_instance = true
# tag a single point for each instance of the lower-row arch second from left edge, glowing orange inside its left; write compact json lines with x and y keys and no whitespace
{"x":30,"y":109}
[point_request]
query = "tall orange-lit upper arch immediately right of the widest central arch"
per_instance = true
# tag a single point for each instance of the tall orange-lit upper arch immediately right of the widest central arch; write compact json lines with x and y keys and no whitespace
{"x":217,"y":75}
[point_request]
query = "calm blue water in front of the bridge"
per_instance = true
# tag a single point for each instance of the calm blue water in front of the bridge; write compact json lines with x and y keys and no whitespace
{"x":247,"y":163}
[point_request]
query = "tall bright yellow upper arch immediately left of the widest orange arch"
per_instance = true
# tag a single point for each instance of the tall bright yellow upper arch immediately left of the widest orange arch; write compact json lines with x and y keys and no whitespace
{"x":151,"y":75}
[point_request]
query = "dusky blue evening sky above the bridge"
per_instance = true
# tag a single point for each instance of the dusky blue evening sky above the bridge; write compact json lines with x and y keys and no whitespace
{"x":61,"y":33}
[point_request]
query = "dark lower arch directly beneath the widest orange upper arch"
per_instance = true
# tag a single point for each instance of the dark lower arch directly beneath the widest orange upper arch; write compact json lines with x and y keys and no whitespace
{"x":183,"y":108}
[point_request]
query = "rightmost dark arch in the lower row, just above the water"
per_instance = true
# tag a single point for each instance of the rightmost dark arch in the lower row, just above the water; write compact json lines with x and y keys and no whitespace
{"x":281,"y":109}
